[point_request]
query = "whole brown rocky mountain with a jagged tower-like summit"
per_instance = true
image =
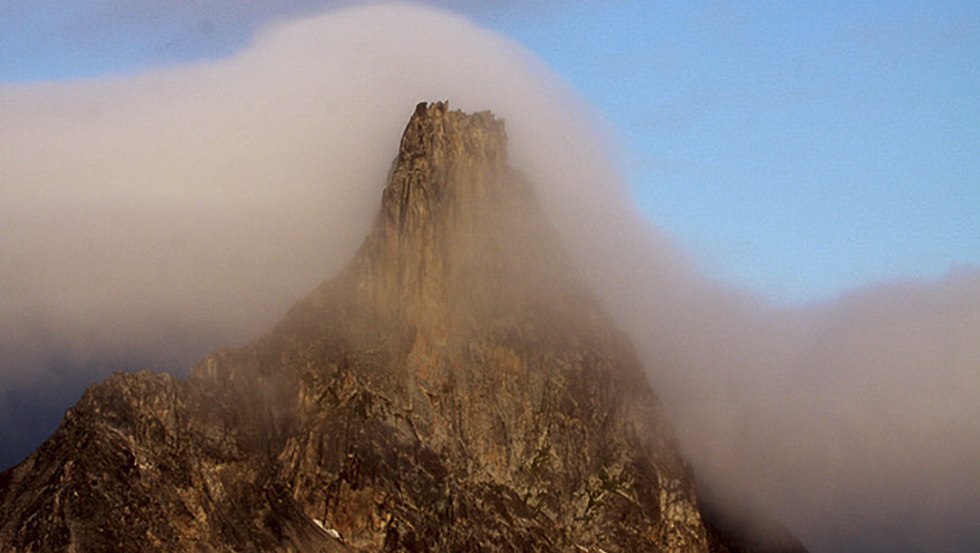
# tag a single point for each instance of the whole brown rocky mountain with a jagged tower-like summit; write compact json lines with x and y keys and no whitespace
{"x":454,"y":388}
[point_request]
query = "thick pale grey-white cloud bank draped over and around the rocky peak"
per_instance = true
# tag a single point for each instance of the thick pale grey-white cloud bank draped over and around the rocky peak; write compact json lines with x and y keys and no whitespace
{"x":151,"y":218}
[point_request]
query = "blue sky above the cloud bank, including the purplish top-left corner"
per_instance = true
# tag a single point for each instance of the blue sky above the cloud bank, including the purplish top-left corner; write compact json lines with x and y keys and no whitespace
{"x":796,"y":150}
